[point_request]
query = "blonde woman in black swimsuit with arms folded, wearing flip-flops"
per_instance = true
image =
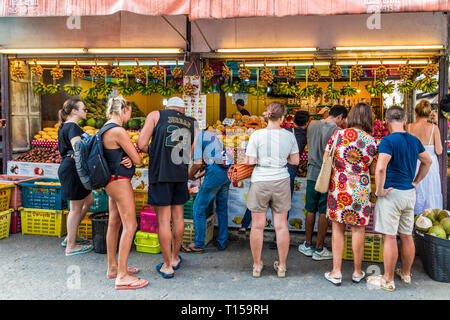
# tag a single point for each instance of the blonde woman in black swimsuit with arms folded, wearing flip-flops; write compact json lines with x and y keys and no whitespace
{"x":121,"y":156}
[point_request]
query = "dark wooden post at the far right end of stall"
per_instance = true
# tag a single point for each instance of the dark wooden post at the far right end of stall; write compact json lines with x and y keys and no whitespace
{"x":442,"y":124}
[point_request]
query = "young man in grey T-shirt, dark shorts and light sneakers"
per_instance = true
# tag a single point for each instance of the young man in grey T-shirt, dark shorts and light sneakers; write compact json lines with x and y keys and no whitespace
{"x":318,"y":134}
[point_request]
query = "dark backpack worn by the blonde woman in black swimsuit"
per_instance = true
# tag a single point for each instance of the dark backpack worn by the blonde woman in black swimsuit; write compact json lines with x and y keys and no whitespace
{"x":90,"y":162}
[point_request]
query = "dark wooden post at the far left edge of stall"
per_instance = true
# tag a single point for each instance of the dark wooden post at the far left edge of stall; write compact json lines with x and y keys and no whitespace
{"x":4,"y":65}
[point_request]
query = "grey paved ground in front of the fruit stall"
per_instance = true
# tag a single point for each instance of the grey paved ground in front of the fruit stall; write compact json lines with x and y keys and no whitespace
{"x":35,"y":267}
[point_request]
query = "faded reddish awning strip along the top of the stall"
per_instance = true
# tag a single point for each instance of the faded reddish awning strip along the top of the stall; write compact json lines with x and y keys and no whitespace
{"x":215,"y":9}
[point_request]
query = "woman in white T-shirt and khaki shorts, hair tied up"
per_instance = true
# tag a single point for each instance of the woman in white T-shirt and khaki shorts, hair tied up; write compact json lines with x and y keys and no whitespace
{"x":271,"y":149}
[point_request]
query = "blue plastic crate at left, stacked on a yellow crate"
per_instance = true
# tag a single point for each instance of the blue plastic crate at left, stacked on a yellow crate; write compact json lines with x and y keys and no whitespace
{"x":47,"y":197}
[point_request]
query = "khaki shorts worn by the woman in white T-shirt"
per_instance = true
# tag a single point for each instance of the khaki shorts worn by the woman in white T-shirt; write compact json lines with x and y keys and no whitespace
{"x":274,"y":194}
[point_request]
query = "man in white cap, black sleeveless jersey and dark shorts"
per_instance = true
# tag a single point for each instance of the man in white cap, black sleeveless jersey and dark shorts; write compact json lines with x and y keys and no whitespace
{"x":173,"y":139}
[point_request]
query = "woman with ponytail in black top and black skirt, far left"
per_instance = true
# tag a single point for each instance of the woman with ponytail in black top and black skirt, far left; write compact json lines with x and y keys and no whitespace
{"x":81,"y":199}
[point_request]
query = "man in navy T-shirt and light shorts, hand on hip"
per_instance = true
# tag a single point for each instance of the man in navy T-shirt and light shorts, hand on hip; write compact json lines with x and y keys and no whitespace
{"x":395,"y":179}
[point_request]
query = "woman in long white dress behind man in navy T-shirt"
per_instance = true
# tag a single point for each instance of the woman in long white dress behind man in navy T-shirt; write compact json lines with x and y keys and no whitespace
{"x":428,"y":191}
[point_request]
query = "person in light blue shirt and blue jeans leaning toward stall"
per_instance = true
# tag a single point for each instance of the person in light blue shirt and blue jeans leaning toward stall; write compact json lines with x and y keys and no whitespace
{"x":215,"y":186}
